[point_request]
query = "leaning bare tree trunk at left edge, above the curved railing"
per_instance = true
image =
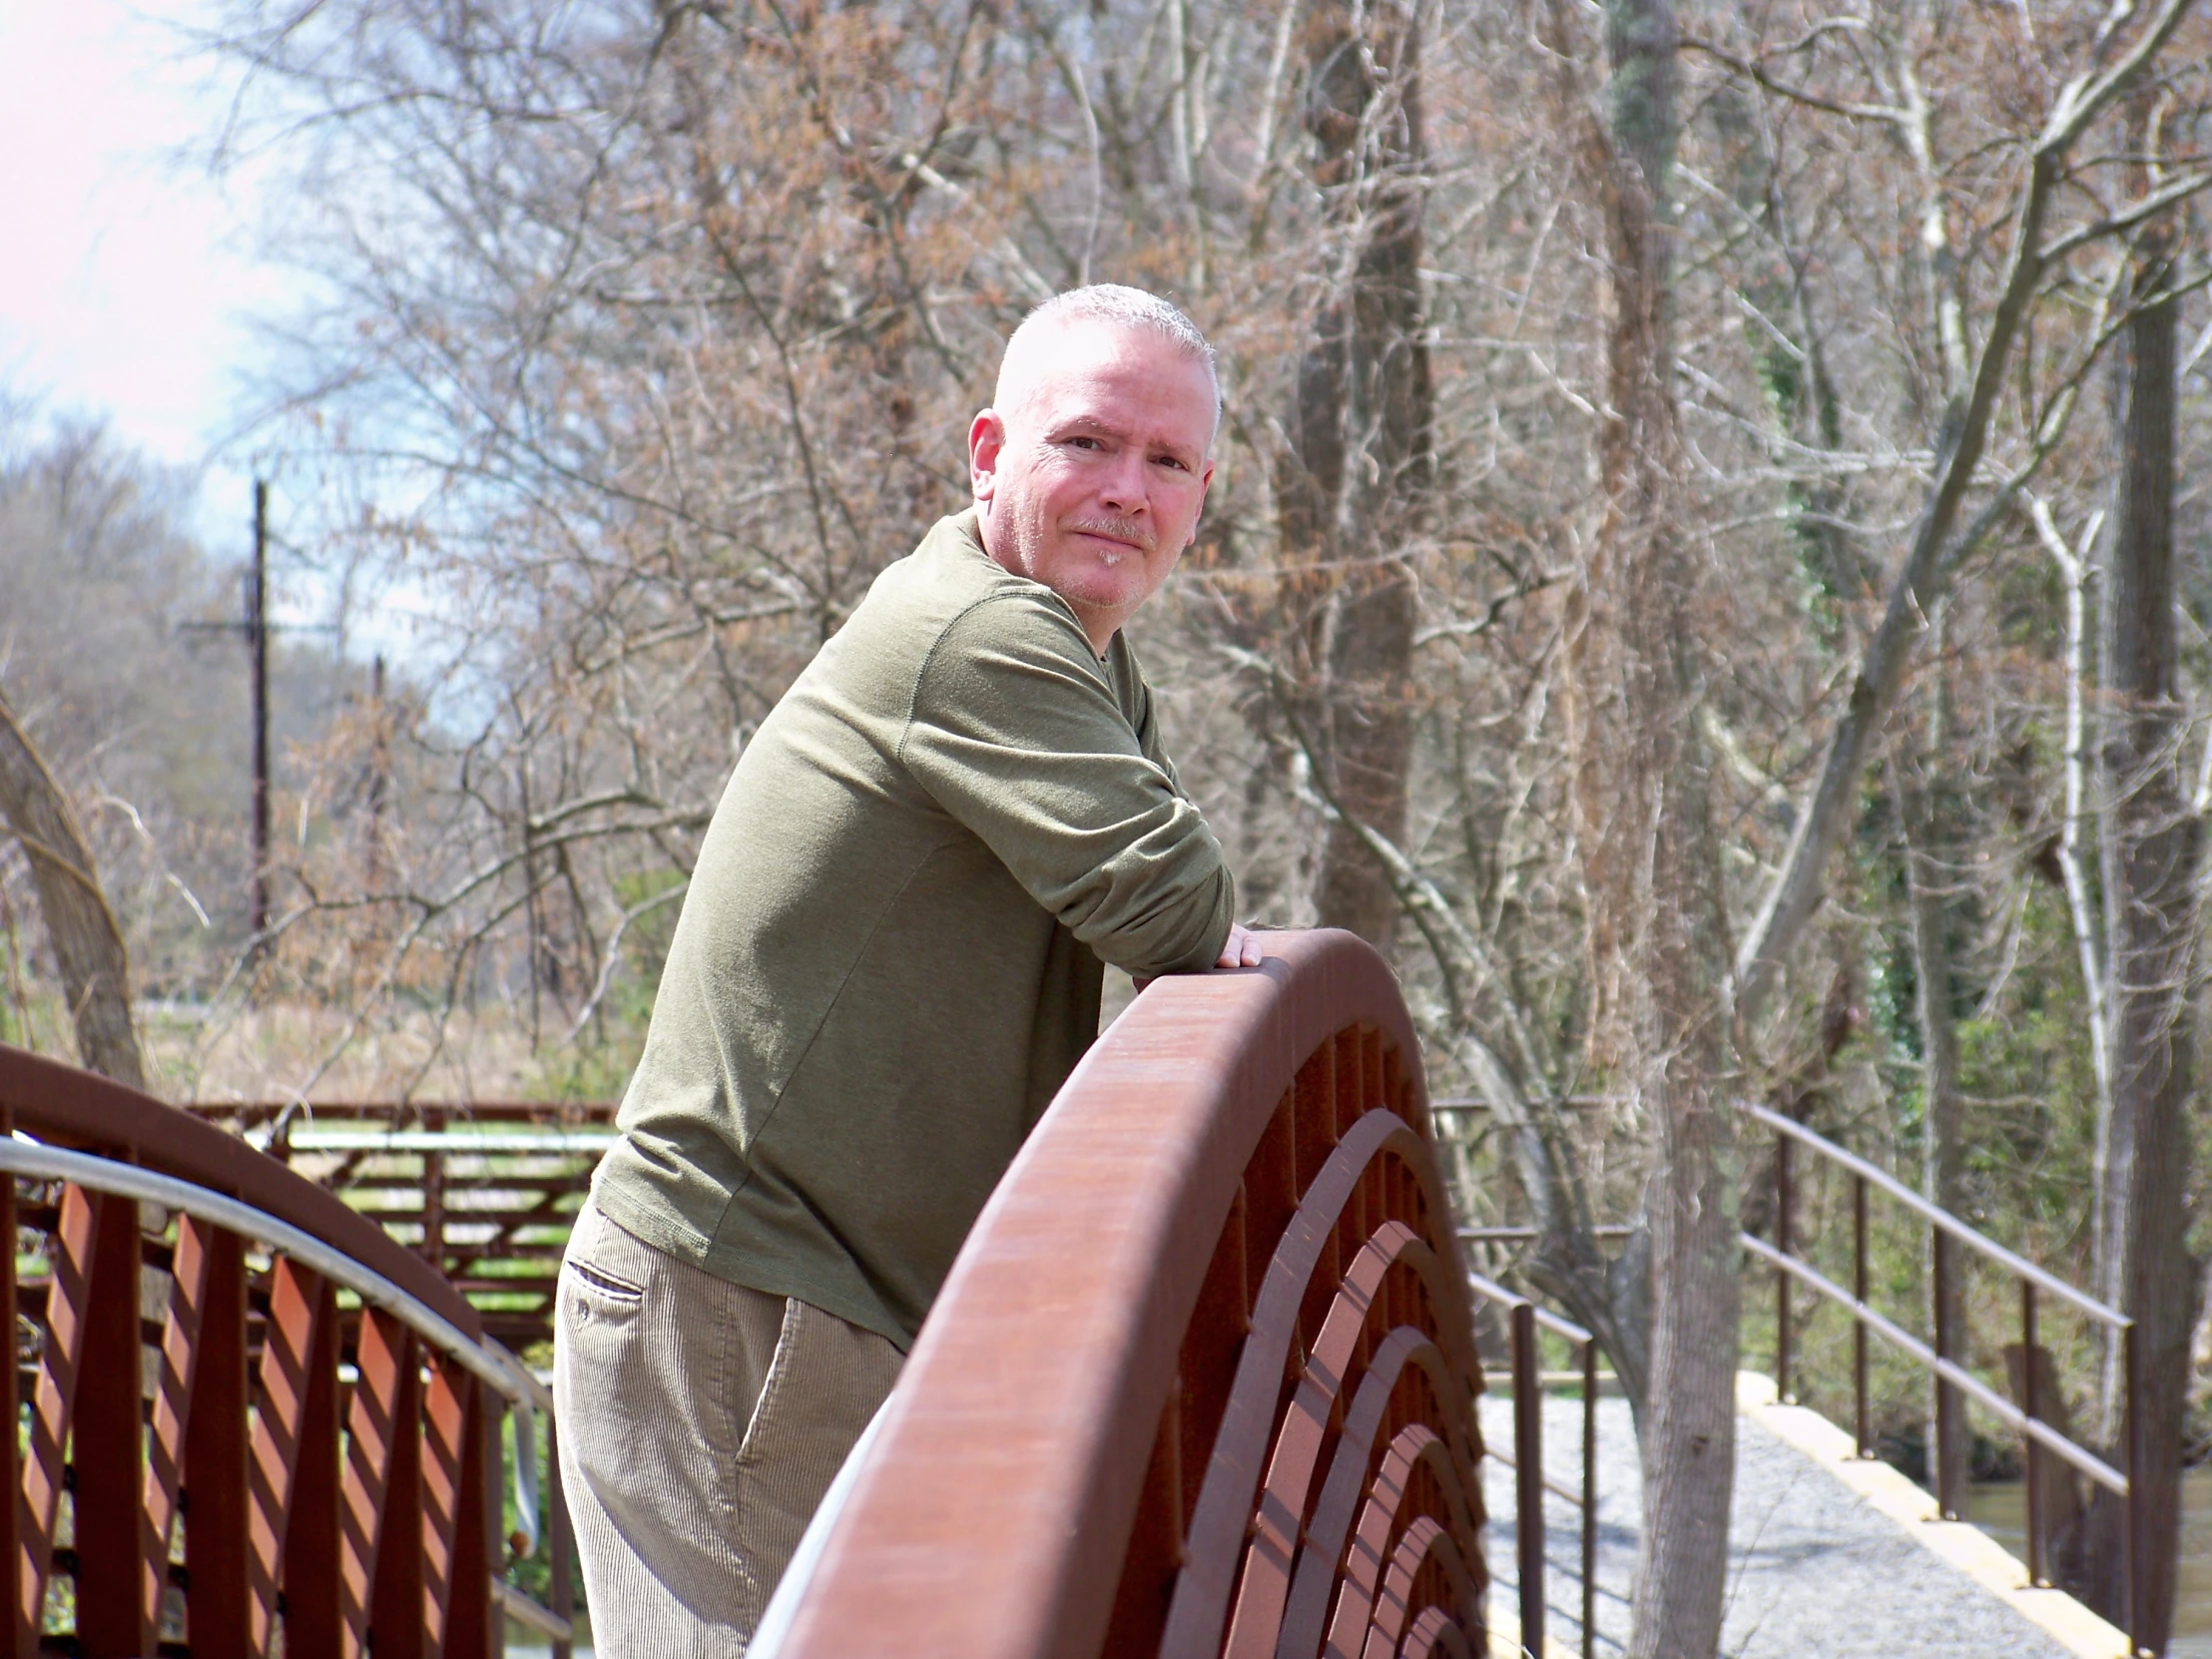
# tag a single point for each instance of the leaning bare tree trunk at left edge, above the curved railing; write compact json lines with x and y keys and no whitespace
{"x":90,"y":948}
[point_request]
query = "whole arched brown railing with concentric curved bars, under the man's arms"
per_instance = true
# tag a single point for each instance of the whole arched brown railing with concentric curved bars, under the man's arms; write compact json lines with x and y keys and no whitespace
{"x":1202,"y":1379}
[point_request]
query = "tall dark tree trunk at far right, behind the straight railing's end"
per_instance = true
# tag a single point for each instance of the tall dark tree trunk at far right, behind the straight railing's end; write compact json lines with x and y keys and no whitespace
{"x":2149,"y":853}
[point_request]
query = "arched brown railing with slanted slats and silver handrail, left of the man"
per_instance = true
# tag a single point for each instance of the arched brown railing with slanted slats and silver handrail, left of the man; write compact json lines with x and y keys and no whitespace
{"x":255,"y":1421}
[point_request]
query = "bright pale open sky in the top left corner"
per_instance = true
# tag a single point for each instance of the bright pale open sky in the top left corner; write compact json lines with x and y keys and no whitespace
{"x":127,"y":275}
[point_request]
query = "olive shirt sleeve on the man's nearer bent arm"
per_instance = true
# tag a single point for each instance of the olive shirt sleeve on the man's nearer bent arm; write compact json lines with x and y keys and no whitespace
{"x":1019,"y":738}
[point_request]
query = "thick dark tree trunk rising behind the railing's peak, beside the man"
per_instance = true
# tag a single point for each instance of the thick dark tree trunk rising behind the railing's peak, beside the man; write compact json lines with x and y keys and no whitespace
{"x":1355,"y":490}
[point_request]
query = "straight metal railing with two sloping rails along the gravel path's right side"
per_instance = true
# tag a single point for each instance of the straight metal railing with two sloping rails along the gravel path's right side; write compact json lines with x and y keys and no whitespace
{"x":1952,"y":1384}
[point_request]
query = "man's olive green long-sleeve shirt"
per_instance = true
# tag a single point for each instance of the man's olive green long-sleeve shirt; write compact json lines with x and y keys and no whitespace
{"x":890,"y":952}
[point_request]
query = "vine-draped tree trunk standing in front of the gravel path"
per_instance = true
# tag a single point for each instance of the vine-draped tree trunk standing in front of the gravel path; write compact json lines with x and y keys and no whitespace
{"x":1645,"y":820}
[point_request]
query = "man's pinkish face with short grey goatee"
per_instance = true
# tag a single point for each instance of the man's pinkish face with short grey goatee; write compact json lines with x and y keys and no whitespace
{"x":1094,"y":483}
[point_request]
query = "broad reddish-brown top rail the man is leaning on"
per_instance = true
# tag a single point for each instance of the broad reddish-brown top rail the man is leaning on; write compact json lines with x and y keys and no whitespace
{"x":992,"y":1512}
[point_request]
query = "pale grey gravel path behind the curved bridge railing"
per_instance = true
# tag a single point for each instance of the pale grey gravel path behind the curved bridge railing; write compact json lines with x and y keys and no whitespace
{"x":1815,"y":1572}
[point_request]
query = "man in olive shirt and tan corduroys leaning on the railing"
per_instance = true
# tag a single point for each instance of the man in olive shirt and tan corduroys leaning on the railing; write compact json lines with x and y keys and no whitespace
{"x":888,"y":963}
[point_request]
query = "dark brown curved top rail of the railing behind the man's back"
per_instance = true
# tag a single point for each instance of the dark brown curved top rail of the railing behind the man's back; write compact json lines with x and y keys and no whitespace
{"x":85,"y":1112}
